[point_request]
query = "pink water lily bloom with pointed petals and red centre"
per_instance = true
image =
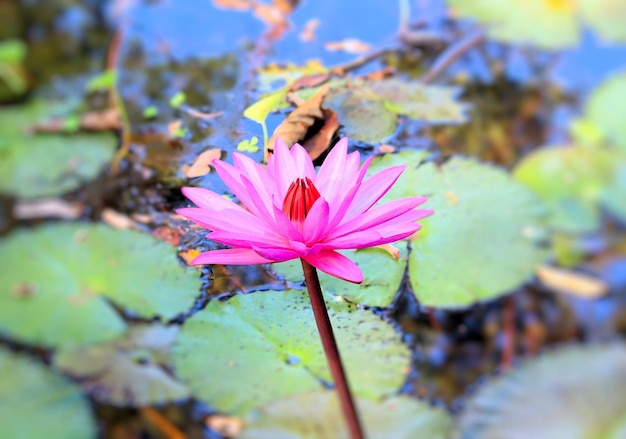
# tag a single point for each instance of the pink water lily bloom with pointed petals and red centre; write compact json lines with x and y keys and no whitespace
{"x":292,"y":212}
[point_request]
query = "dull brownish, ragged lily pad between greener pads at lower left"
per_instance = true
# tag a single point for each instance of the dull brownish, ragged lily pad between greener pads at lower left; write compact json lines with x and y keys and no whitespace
{"x":128,"y":372}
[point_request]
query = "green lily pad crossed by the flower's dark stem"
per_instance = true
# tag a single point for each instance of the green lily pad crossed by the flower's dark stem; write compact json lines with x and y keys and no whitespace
{"x":265,"y":346}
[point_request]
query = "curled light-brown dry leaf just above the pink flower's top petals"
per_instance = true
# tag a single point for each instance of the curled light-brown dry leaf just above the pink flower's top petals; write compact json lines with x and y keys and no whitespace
{"x":295,"y":126}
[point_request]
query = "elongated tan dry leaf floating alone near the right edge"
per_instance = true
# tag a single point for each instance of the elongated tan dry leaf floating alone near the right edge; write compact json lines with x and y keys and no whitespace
{"x":566,"y":281}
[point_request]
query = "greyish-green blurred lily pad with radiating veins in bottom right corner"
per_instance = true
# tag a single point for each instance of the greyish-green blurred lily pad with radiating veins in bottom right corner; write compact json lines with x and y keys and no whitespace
{"x":580,"y":390}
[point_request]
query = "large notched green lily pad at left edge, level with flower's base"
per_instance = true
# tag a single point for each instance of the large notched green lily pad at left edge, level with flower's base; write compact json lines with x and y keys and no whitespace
{"x":54,"y":281}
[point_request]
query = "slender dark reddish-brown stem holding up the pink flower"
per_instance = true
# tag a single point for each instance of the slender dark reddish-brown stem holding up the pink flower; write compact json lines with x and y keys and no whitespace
{"x":332,"y":352}
